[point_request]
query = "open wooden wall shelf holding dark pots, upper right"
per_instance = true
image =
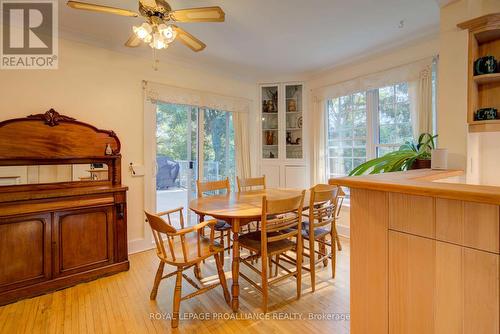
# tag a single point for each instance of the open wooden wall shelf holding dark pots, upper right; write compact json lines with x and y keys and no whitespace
{"x":483,"y":110}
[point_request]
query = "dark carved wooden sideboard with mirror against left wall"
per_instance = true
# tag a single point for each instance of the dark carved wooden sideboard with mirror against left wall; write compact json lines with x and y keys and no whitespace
{"x":59,"y":234}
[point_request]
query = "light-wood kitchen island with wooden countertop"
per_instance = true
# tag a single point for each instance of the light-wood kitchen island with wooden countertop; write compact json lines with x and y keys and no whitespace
{"x":424,"y":253}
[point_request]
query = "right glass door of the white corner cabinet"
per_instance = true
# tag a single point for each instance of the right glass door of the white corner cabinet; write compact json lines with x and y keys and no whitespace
{"x":293,"y":118}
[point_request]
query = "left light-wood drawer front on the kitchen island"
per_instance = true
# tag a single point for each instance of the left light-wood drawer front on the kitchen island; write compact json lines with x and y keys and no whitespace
{"x":412,"y":214}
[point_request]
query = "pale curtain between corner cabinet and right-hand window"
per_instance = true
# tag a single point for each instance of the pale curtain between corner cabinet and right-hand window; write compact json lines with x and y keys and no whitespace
{"x":319,"y":124}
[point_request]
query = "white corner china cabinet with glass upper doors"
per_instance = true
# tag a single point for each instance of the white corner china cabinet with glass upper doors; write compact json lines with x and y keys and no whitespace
{"x":283,"y":118}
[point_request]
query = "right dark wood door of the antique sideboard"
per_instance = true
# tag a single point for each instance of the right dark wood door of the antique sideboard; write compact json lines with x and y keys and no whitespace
{"x":83,"y":239}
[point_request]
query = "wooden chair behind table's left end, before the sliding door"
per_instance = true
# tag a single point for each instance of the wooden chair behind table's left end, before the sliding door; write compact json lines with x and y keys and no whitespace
{"x":222,"y":227}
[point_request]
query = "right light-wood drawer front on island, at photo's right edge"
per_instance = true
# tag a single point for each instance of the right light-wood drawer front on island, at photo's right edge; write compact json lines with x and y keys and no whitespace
{"x":468,"y":224}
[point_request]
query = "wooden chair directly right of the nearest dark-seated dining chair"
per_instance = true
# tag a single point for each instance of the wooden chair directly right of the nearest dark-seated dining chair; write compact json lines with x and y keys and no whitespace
{"x":318,"y":225}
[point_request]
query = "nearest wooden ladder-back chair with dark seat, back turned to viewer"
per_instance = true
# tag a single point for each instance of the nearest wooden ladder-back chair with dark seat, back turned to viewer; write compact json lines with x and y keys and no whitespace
{"x":277,"y":236}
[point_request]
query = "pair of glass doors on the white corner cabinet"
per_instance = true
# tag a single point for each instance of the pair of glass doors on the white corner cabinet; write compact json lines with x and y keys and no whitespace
{"x":282,"y":108}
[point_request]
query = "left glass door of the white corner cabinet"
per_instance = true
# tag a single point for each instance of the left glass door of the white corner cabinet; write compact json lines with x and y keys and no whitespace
{"x":270,"y":122}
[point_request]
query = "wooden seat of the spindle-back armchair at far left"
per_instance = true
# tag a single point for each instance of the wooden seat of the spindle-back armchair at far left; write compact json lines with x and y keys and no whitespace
{"x":192,"y":250}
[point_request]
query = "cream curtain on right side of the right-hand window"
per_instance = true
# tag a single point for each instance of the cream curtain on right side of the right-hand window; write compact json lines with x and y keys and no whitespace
{"x":420,"y":91}
